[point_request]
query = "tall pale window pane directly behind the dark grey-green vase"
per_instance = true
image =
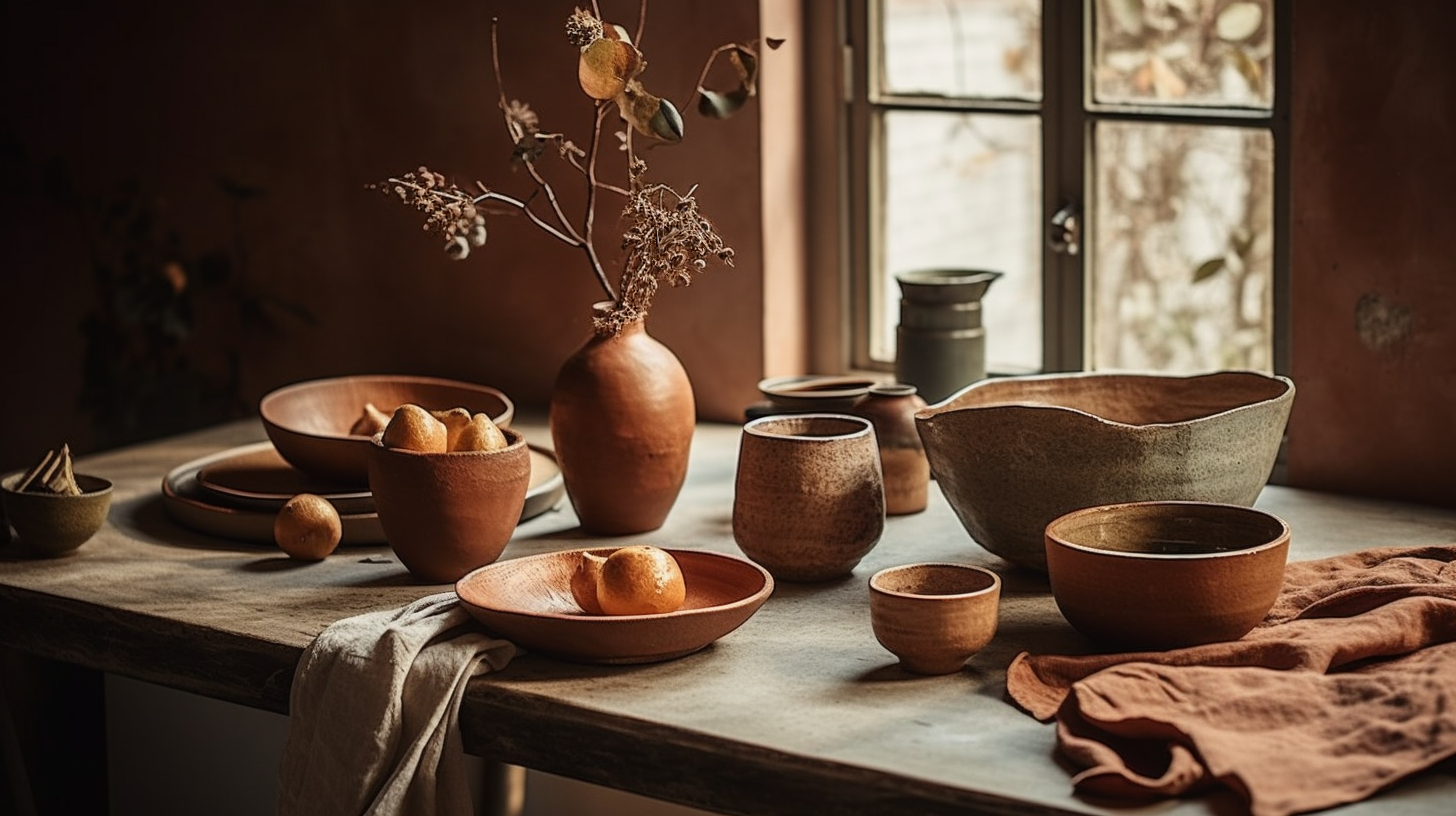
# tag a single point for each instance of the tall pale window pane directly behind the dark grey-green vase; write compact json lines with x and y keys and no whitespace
{"x":965,"y":190}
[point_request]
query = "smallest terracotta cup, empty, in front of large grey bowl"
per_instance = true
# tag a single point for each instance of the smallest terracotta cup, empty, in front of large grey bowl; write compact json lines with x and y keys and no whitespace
{"x":934,"y":617}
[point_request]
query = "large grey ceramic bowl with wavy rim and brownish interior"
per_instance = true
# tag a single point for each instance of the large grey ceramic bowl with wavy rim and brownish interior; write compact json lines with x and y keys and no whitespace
{"x":1016,"y":454}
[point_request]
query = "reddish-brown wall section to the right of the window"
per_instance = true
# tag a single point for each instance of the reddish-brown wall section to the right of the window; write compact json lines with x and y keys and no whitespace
{"x":1374,"y":298}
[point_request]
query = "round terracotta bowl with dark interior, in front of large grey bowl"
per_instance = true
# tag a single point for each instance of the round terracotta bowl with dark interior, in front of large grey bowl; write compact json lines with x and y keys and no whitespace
{"x":1163,"y":575}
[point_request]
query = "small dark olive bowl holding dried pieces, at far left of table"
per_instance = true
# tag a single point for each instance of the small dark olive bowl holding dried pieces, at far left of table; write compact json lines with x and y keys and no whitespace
{"x":52,"y":525}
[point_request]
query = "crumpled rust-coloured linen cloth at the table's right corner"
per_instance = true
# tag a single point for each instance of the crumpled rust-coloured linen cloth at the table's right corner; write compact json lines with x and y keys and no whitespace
{"x":1348,"y":687}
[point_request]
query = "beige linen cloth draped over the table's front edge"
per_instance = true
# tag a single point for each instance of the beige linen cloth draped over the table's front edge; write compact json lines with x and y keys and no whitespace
{"x":373,"y":713}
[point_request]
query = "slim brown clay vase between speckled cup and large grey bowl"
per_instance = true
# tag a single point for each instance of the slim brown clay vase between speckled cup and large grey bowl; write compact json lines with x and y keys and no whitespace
{"x":890,"y":407}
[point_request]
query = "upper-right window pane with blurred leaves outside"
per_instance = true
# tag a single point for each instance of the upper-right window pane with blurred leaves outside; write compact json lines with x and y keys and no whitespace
{"x":1184,"y":53}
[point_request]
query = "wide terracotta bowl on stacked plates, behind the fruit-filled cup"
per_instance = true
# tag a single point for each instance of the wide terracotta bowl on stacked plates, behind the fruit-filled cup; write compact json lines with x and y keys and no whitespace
{"x":309,"y":423}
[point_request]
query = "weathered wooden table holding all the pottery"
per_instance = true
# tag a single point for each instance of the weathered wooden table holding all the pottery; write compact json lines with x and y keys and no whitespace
{"x":799,"y":712}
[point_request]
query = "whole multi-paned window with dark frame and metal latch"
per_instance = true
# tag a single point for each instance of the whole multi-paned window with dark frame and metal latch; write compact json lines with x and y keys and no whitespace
{"x":1119,"y":161}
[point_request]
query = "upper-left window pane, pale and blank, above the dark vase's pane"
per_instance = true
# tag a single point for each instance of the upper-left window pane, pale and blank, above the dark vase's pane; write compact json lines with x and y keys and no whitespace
{"x":979,"y":49}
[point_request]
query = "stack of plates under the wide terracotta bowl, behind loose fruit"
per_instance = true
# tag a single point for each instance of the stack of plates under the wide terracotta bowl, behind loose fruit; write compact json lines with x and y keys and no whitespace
{"x":238,"y":493}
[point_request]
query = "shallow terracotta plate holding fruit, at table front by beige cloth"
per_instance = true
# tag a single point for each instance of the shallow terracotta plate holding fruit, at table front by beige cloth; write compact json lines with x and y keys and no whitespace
{"x":528,"y":601}
